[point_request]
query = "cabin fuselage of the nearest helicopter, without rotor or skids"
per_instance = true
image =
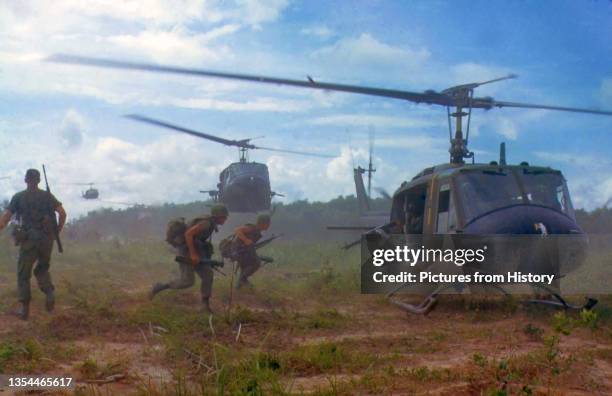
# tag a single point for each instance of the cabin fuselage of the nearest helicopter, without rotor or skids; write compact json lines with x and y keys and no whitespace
{"x":494,"y":203}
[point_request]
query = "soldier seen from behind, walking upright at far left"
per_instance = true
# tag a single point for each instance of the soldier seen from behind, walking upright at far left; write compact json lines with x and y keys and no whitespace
{"x":35,"y":236}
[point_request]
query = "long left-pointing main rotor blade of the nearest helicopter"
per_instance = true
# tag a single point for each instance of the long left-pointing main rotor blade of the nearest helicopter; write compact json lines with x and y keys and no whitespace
{"x":431,"y":97}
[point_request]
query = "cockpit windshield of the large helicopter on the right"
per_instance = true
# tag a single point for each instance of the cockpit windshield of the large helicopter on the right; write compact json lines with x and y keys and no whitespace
{"x":486,"y":190}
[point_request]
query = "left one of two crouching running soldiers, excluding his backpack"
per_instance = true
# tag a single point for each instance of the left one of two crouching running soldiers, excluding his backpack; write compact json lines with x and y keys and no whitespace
{"x":197,"y":246}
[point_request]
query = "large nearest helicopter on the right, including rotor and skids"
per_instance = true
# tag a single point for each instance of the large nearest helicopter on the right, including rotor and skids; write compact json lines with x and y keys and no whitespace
{"x":455,"y":198}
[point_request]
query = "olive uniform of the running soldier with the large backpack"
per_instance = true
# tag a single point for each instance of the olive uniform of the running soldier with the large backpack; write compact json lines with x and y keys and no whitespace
{"x":188,"y":271}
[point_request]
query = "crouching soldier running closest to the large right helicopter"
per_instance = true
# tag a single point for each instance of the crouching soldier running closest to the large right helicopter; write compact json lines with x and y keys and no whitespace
{"x":246,"y":257}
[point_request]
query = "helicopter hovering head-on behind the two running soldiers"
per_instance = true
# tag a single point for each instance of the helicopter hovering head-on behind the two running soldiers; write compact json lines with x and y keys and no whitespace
{"x":243,"y":186}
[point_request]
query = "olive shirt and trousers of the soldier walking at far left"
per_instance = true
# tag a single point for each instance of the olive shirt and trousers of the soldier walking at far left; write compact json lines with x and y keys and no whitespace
{"x":34,"y":209}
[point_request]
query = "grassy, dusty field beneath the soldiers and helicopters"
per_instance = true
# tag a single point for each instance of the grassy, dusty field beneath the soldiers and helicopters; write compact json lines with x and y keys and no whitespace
{"x":303,"y":329}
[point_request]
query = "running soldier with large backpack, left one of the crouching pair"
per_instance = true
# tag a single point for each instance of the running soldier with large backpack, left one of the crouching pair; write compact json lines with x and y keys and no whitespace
{"x":195,"y":250}
